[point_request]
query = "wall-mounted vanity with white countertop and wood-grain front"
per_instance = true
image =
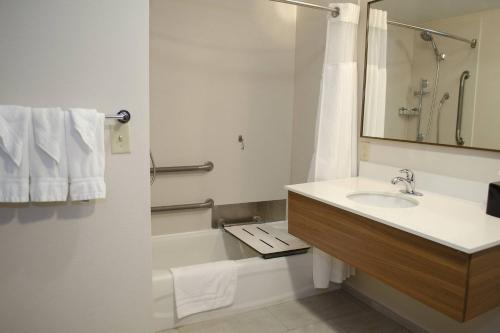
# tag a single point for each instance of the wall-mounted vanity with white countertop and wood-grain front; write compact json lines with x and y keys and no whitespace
{"x":442,"y":252}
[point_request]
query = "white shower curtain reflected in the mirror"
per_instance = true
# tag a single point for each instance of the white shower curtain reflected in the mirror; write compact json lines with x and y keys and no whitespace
{"x":376,"y":75}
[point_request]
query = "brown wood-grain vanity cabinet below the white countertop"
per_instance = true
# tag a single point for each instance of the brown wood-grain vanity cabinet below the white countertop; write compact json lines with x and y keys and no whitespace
{"x":455,"y":283}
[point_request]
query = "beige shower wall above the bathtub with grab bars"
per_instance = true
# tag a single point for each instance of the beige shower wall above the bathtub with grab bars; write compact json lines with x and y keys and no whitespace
{"x":220,"y":68}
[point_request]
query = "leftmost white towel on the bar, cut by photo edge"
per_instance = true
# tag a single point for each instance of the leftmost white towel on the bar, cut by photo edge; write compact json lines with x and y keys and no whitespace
{"x":14,"y":153}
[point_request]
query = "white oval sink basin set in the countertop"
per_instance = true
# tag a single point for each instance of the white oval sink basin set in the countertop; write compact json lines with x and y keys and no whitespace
{"x":383,"y":199}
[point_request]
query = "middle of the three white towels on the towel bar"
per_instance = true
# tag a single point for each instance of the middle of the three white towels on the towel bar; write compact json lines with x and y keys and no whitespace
{"x":48,"y":159}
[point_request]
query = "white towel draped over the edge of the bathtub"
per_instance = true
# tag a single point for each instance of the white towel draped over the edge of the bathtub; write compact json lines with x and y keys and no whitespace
{"x":204,"y":287}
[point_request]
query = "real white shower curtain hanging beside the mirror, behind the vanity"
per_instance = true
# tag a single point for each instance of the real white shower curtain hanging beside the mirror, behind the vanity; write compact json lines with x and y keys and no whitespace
{"x":335,"y":154}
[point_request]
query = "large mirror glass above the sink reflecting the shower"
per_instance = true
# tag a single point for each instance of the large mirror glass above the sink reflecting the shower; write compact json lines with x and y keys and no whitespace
{"x":433,"y":72}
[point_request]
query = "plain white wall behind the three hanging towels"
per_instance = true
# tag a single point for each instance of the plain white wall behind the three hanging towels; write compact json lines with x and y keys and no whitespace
{"x":81,"y":267}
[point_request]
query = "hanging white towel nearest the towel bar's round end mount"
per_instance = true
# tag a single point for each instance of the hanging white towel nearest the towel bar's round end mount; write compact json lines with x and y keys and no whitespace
{"x":86,"y":156}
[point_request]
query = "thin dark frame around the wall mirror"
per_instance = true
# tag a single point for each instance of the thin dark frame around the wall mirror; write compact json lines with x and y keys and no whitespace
{"x":370,"y":3}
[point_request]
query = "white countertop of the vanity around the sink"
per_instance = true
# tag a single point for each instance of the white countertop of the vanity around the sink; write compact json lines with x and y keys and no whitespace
{"x":459,"y":224}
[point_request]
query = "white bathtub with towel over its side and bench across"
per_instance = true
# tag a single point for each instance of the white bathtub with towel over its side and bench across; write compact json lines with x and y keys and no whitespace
{"x":260,"y":282}
